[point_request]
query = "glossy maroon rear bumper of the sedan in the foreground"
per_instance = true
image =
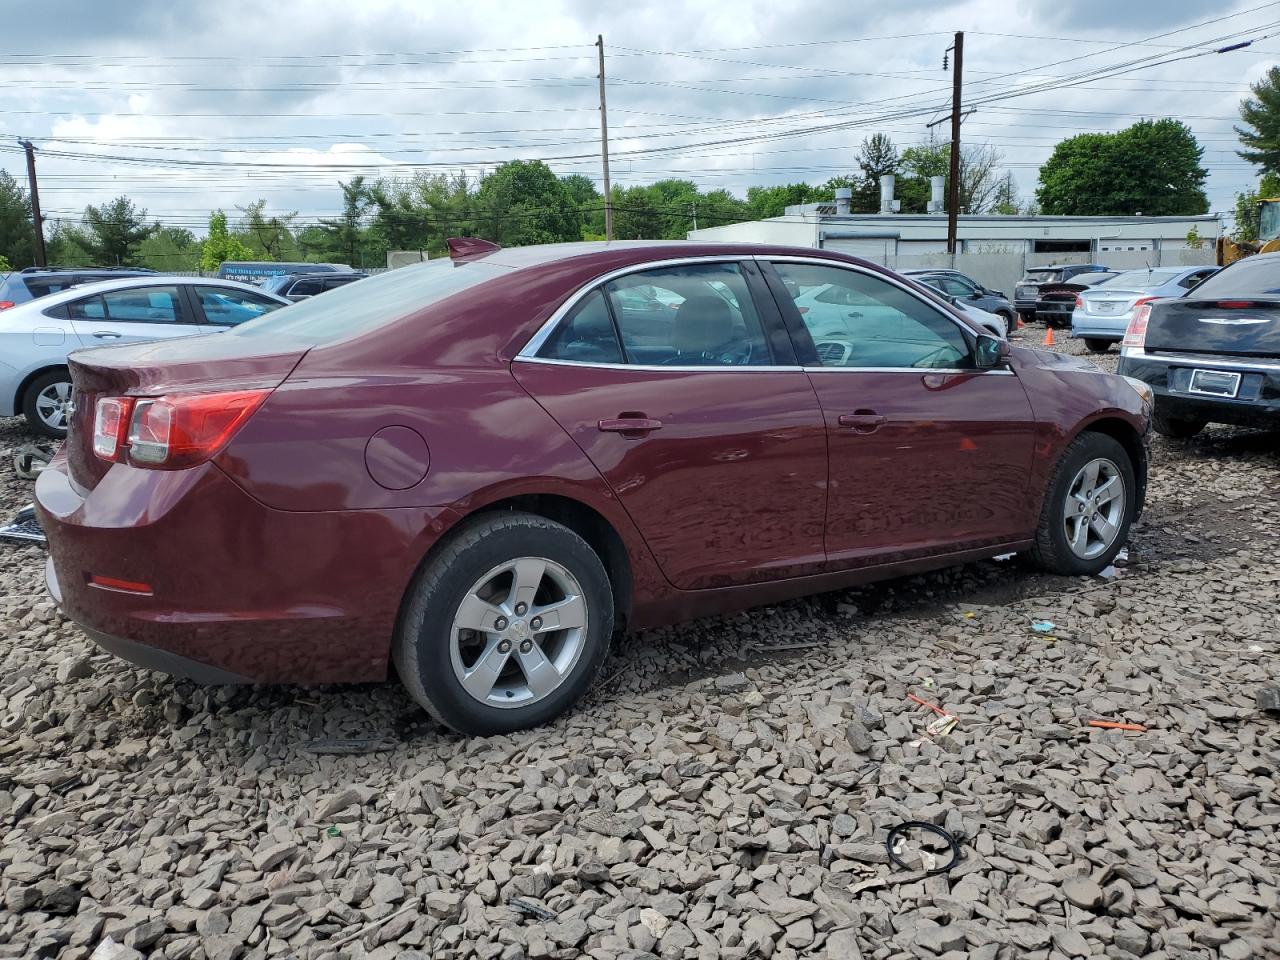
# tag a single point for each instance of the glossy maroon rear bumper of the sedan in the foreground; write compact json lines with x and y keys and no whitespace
{"x":239,"y":592}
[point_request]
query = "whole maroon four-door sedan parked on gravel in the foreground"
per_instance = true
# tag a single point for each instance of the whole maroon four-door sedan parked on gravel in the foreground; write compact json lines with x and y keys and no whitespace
{"x":481,"y":469}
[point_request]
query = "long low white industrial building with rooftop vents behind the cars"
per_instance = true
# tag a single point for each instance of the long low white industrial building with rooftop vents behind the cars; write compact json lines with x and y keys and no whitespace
{"x":994,"y":249}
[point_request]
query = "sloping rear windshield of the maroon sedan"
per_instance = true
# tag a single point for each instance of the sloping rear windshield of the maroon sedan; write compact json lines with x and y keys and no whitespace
{"x":358,"y":308}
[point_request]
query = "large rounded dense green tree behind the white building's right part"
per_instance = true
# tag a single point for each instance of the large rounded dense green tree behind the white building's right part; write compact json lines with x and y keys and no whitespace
{"x":1153,"y":168}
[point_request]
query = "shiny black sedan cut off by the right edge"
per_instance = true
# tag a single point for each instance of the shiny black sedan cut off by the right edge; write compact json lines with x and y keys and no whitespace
{"x":1213,"y":355}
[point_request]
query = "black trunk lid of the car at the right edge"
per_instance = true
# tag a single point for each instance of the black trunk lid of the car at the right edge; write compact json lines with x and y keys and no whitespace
{"x":1249,"y":327}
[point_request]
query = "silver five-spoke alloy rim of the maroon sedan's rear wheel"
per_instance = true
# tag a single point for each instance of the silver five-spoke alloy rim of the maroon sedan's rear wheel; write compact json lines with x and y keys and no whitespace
{"x":519,"y":633}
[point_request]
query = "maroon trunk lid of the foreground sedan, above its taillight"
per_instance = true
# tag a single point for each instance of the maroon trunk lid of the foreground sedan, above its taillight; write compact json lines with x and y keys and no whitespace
{"x":189,"y":365}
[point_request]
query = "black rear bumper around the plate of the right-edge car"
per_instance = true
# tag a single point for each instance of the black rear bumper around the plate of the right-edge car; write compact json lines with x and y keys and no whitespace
{"x":1258,"y":403}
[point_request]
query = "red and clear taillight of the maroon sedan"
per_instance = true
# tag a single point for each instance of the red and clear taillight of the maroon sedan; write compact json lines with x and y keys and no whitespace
{"x":173,"y":432}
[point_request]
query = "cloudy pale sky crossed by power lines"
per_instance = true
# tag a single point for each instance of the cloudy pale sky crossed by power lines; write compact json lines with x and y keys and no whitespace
{"x":186,"y":108}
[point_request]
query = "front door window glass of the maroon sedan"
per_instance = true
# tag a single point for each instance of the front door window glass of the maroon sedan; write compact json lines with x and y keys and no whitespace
{"x":863,"y":322}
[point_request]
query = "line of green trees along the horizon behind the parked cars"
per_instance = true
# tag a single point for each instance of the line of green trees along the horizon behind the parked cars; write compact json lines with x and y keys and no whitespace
{"x":1153,"y":168}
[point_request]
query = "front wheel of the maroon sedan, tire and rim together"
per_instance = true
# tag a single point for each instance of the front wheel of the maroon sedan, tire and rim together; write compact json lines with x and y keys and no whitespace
{"x":1087,"y":511}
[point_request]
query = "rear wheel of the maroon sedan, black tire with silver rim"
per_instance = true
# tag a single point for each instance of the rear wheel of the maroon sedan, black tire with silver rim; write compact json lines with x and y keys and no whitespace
{"x":508,"y":627}
